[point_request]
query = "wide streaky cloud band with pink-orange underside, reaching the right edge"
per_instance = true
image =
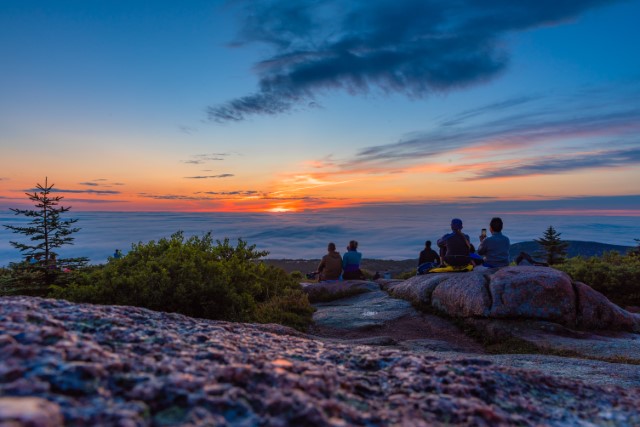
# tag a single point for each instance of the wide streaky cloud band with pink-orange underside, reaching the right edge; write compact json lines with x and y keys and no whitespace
{"x":591,"y":128}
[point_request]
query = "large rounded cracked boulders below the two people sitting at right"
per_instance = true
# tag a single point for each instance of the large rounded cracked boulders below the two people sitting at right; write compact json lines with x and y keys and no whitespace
{"x":535,"y":293}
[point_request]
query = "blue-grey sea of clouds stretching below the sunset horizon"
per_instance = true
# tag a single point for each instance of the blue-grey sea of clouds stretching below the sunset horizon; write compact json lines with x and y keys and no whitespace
{"x":383,"y":232}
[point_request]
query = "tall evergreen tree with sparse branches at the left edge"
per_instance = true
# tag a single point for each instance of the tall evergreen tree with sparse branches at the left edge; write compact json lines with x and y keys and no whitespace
{"x":47,"y":232}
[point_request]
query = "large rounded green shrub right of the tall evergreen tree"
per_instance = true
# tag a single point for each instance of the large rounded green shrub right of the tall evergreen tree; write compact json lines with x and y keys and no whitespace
{"x":198,"y":278}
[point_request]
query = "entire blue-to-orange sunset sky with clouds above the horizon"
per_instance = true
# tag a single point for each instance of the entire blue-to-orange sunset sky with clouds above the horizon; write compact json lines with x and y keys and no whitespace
{"x":302,"y":105}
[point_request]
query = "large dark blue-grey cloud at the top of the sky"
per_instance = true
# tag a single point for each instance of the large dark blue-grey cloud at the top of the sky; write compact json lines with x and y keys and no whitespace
{"x":413,"y":47}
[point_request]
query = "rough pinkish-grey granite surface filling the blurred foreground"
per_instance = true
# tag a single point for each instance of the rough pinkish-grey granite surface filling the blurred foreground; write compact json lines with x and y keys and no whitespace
{"x":107,"y":365}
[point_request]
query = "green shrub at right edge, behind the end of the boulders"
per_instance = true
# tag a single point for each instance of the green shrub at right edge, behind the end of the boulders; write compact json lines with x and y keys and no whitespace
{"x":614,"y":275}
